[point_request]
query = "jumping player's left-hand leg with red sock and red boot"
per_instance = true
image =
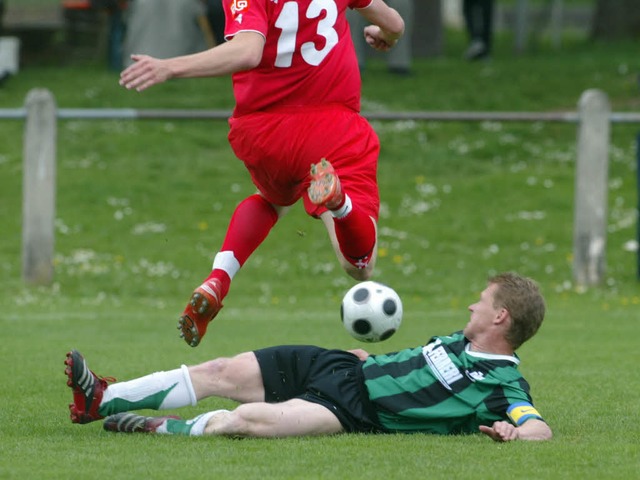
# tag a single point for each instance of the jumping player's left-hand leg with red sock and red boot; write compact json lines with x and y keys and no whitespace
{"x":250,"y":224}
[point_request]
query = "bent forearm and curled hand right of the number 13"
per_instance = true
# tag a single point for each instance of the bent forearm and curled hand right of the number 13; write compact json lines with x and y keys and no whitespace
{"x":387,"y":26}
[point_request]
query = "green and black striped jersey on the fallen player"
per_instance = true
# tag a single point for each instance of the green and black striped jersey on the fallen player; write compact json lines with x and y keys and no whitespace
{"x":444,"y":387}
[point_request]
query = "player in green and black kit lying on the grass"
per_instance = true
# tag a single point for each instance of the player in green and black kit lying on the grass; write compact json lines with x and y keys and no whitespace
{"x":465,"y":382}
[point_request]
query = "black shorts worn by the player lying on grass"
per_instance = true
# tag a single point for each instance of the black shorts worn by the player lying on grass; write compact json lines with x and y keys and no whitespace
{"x":331,"y":378}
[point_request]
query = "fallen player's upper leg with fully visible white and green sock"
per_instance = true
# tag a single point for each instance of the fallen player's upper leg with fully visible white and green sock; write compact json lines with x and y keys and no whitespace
{"x":238,"y":378}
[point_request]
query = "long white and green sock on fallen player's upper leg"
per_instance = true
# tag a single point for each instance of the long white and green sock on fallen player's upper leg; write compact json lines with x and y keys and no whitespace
{"x":158,"y":391}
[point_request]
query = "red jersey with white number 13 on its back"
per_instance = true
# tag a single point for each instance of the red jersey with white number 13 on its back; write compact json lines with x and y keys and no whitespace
{"x":308,"y":57}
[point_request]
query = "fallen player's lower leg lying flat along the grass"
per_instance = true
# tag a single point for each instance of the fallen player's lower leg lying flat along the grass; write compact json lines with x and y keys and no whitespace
{"x":294,"y":417}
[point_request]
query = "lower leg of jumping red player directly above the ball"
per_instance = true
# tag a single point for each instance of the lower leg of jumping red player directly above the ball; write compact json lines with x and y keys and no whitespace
{"x":332,"y":225}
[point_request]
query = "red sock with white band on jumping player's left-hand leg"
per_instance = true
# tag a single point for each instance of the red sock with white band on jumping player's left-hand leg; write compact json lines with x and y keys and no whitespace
{"x":250,"y":224}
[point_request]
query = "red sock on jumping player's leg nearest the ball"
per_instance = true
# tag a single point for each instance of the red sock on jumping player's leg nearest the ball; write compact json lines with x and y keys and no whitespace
{"x":356,"y":235}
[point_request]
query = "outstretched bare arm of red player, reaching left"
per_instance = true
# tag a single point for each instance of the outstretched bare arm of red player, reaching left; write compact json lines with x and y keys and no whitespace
{"x":242,"y":52}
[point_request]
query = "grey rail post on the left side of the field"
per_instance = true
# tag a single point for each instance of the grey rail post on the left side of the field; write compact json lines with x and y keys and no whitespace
{"x":39,"y":178}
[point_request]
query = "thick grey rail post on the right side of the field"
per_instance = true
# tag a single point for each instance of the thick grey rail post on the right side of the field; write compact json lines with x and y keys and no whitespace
{"x":592,"y":167}
